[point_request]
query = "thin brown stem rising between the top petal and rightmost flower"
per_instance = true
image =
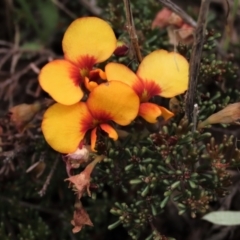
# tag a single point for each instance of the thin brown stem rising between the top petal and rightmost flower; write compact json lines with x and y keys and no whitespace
{"x":132,"y":31}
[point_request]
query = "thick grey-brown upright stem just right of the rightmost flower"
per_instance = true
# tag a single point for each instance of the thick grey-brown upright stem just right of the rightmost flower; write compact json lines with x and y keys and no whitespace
{"x":195,"y":59}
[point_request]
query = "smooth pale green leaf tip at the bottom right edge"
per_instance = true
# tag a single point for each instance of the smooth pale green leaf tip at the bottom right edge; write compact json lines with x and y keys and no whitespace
{"x":227,"y":218}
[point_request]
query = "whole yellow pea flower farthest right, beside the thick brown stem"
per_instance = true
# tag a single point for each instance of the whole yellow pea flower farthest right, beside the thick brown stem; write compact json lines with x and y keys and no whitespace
{"x":160,"y":73}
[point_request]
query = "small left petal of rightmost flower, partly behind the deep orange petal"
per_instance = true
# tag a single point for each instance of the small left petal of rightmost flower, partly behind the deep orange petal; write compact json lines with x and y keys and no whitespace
{"x":119,"y":72}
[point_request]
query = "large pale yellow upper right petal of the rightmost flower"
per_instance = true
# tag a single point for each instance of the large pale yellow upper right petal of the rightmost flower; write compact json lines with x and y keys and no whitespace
{"x":169,"y":70}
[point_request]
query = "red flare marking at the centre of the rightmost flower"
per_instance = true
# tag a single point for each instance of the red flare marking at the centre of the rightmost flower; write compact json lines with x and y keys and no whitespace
{"x":146,"y":89}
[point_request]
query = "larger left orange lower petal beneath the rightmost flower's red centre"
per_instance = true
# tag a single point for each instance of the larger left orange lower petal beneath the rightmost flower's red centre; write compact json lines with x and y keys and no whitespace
{"x":149,"y":111}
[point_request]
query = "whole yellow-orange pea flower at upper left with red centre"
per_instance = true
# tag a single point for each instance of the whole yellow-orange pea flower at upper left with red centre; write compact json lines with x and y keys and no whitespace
{"x":86,"y":42}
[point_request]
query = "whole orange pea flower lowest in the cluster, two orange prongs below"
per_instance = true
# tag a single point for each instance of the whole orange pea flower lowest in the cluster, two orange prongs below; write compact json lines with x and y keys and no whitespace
{"x":64,"y":127}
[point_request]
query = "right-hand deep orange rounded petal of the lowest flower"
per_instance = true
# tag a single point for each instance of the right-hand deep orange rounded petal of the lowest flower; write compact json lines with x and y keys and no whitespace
{"x":115,"y":101}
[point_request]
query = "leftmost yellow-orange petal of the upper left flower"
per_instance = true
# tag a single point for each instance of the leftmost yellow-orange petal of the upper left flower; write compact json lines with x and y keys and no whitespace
{"x":61,"y":80}
